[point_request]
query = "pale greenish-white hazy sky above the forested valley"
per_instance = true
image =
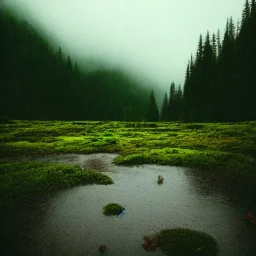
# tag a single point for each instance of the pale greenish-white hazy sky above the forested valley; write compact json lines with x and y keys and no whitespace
{"x":154,"y":38}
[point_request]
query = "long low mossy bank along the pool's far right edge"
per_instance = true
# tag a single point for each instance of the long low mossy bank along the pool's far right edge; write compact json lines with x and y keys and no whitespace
{"x":207,"y":160}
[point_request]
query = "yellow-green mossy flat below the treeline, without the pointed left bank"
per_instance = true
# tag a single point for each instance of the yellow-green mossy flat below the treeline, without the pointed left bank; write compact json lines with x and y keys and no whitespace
{"x":225,"y":148}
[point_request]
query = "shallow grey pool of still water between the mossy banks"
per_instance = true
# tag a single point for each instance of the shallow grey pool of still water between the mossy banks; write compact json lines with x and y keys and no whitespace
{"x":71,"y":222}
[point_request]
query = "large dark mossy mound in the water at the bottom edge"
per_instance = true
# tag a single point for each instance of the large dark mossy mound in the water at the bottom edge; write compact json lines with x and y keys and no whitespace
{"x":182,"y":242}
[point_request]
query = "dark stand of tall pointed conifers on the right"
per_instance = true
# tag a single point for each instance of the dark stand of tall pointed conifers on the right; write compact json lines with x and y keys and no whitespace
{"x":220,"y":83}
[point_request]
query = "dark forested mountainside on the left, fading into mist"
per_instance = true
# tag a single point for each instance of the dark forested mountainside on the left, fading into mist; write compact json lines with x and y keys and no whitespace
{"x":37,"y":82}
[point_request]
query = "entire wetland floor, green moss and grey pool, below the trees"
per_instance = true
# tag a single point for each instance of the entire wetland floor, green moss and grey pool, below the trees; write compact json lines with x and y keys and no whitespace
{"x":56,"y":177}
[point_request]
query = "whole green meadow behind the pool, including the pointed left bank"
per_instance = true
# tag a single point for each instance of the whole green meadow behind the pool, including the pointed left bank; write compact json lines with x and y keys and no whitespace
{"x":228,"y":149}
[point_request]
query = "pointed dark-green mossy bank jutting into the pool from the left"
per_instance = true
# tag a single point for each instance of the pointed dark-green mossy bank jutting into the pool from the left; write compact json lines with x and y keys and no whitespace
{"x":26,"y":179}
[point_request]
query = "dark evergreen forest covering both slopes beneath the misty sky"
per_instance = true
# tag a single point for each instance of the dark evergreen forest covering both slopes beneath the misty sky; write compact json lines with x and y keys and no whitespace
{"x":39,"y":83}
